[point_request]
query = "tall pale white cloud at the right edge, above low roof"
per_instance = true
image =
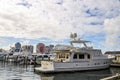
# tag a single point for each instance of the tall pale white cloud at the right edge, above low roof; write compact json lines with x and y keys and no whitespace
{"x":112,"y":30}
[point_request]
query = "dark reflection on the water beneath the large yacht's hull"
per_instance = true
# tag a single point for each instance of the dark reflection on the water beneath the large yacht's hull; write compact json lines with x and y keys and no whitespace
{"x":86,"y":75}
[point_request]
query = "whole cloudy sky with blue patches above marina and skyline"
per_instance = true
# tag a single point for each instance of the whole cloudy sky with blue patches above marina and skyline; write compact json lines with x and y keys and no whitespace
{"x":52,"y":21}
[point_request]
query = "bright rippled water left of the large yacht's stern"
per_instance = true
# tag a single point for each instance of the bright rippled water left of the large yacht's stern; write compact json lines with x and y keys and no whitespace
{"x":10,"y":71}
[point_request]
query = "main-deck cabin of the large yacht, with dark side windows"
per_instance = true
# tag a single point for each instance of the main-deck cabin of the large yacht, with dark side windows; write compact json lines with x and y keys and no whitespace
{"x":68,"y":56}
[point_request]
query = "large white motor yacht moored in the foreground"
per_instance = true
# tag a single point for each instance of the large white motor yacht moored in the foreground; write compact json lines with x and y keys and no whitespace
{"x":71,"y":58}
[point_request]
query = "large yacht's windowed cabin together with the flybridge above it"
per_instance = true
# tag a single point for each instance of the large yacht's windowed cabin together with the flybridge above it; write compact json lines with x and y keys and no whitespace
{"x":71,"y":53}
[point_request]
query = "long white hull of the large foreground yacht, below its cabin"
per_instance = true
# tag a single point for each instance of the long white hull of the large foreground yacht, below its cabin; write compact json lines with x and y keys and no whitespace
{"x":48,"y":67}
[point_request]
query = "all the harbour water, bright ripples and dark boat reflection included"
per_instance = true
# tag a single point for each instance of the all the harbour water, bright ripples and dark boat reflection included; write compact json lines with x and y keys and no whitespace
{"x":9,"y":71}
